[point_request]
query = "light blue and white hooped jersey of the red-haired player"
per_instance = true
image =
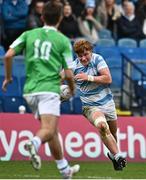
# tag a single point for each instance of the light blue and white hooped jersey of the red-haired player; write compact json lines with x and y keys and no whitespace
{"x":92,"y":94}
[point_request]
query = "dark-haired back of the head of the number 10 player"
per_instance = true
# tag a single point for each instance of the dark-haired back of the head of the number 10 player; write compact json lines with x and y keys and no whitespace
{"x":52,"y":12}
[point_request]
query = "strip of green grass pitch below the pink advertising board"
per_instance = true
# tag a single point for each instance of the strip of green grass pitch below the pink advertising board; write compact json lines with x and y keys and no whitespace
{"x":89,"y":170}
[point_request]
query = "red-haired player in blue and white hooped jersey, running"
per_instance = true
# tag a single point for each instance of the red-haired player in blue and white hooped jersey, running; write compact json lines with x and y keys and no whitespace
{"x":93,"y":77}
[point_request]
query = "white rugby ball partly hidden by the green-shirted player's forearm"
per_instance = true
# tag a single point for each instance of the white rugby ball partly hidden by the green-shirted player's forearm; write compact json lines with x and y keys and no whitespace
{"x":65,"y":92}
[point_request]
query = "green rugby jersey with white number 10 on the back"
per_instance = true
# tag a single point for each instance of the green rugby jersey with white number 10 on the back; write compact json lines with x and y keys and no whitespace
{"x":47,"y":51}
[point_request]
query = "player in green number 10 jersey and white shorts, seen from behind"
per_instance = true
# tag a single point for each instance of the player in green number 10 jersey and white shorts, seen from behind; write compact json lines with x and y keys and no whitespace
{"x":47,"y":51}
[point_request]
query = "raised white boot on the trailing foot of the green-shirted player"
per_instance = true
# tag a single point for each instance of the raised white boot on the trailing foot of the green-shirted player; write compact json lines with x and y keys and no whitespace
{"x":34,"y":157}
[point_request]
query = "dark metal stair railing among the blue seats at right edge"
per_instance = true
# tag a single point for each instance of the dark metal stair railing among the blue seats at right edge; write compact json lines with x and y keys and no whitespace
{"x":133,"y":91}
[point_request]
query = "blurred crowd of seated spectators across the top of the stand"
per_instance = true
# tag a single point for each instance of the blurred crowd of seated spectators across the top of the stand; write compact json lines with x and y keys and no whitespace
{"x":81,"y":18}
